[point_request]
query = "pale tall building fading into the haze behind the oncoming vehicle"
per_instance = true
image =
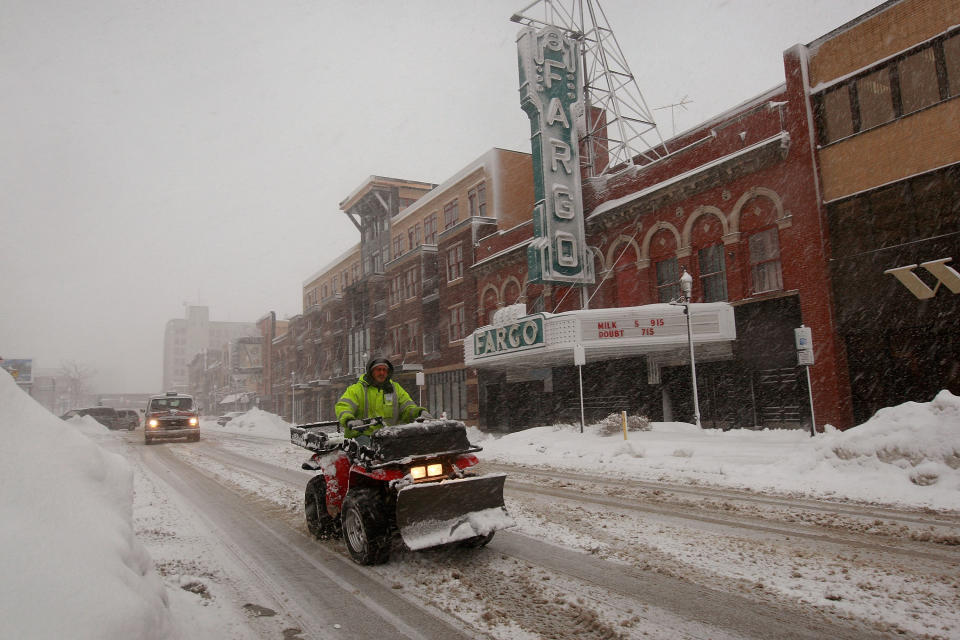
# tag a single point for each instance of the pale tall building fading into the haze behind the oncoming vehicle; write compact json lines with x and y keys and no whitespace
{"x":184,"y":339}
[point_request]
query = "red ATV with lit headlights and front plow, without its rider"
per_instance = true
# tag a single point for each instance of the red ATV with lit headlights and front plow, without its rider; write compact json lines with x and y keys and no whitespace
{"x":415,"y":479}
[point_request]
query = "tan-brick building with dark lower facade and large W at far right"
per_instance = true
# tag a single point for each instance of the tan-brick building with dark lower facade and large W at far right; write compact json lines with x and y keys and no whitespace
{"x":886,"y":98}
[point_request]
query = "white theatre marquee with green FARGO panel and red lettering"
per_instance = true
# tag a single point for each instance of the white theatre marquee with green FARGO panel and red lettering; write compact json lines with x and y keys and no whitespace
{"x":655,"y":330}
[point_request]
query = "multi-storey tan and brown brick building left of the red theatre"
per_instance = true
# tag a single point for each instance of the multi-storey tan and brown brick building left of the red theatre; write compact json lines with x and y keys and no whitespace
{"x":404,"y":291}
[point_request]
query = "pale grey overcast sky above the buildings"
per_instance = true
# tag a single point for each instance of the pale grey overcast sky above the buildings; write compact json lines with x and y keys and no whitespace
{"x":158,"y":153}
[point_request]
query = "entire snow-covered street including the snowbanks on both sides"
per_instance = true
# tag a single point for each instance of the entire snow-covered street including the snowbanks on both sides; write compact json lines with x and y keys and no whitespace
{"x":668,"y":532}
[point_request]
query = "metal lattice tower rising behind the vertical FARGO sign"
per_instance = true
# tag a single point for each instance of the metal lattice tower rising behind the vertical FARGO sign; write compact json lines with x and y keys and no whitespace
{"x":622,"y":130}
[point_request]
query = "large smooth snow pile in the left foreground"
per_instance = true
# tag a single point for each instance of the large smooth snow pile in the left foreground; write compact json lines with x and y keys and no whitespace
{"x":74,"y":568}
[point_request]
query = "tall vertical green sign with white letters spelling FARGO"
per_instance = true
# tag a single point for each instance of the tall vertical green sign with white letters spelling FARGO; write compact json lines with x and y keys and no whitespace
{"x":551,"y":95}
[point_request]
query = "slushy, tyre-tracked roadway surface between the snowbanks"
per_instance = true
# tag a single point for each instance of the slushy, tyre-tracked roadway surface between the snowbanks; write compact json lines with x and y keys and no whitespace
{"x":590,"y":558}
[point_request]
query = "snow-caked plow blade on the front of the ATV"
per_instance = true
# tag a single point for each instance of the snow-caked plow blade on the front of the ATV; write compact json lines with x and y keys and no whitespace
{"x":438,"y":513}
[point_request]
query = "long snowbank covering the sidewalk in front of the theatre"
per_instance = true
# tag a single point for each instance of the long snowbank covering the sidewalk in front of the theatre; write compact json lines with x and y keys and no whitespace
{"x":907,"y":455}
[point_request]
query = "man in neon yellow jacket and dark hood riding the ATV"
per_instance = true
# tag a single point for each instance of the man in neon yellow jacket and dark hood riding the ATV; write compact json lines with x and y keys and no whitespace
{"x":376,"y":395}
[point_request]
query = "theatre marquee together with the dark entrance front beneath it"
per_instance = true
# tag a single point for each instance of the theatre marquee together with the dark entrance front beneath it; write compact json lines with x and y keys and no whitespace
{"x":635,"y":359}
